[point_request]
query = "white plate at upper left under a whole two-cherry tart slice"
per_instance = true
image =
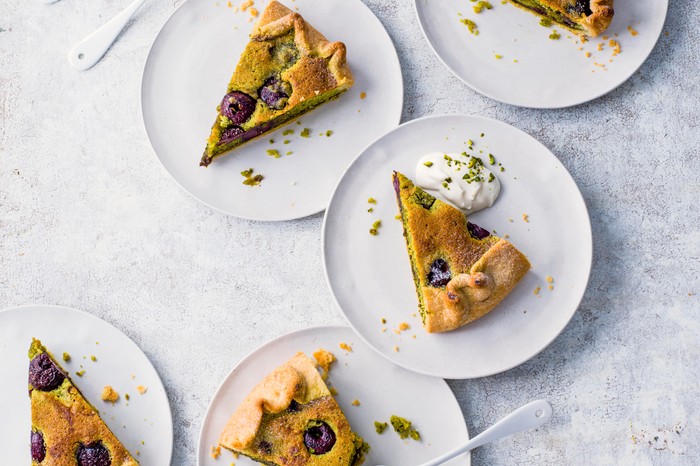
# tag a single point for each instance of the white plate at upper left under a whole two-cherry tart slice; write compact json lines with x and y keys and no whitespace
{"x":185,"y":77}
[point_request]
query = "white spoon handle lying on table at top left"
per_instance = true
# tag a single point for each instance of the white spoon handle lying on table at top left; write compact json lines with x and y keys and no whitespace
{"x":88,"y":51}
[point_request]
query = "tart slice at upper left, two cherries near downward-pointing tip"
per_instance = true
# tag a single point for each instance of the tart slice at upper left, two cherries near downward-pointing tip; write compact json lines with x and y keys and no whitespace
{"x":287,"y":69}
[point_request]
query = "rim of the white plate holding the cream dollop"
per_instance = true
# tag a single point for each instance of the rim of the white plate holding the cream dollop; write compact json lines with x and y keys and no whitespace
{"x":588,"y":237}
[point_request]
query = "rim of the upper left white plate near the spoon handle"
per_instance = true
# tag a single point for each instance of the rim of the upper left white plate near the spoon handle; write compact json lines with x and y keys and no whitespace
{"x":285,"y":218}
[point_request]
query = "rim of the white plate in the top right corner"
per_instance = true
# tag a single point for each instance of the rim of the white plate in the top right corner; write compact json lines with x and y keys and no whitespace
{"x":489,"y":95}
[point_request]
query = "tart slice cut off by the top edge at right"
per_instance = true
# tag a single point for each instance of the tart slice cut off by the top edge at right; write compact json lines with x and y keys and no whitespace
{"x":589,"y":17}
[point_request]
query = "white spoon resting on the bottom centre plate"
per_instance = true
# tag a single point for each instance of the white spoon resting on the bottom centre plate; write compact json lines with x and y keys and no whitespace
{"x":526,"y":417}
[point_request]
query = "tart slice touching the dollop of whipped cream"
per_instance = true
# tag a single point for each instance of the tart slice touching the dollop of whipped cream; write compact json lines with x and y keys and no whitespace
{"x":461,"y":271}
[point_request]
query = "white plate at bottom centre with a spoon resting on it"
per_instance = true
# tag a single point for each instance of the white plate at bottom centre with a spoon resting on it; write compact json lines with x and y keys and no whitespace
{"x":381,"y":388}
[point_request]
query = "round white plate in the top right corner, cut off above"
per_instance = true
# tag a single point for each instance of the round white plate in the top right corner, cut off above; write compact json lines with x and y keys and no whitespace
{"x":548,"y":73}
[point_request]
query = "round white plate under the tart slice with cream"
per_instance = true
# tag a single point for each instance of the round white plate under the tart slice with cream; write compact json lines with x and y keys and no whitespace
{"x":370,"y":276}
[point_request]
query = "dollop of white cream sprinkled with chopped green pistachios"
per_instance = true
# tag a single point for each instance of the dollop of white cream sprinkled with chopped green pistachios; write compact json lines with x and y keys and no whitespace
{"x":462,"y":179}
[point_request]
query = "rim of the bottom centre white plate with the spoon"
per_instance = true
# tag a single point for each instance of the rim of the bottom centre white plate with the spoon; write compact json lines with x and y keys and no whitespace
{"x":271,"y":342}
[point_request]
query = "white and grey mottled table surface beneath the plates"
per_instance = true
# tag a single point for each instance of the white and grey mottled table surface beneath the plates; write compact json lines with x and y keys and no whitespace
{"x":89,"y":219}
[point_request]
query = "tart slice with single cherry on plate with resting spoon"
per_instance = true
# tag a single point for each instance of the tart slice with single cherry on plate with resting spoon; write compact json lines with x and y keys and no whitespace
{"x":290,"y":417}
